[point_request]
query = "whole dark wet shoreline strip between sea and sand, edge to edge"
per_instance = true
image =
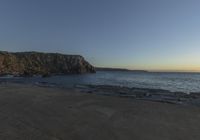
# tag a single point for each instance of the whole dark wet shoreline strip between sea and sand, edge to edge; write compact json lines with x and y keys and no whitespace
{"x":147,"y":94}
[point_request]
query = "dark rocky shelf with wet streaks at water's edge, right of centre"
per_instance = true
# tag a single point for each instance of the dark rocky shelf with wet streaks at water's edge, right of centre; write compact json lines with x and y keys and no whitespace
{"x":154,"y":95}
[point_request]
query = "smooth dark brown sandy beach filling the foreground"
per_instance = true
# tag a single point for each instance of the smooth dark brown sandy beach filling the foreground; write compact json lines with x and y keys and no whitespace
{"x":36,"y":113}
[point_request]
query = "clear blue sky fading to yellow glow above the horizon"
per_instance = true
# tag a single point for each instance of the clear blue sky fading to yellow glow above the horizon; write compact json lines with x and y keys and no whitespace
{"x":155,"y":35}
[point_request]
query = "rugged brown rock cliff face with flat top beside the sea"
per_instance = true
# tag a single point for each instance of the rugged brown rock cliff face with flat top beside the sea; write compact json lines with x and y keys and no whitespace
{"x":34,"y":63}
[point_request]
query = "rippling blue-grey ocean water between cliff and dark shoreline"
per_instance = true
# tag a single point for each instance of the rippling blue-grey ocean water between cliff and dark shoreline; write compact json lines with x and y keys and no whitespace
{"x":183,"y":82}
